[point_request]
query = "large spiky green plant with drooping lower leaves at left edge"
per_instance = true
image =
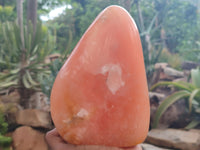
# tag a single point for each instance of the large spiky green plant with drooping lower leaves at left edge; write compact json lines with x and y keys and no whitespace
{"x":22,"y":65}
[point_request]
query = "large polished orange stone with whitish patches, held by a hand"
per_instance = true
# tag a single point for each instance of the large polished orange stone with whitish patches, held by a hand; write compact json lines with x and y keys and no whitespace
{"x":100,"y":95}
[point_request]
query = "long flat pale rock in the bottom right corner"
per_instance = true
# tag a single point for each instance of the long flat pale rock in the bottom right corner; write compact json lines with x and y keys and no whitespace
{"x":173,"y":138}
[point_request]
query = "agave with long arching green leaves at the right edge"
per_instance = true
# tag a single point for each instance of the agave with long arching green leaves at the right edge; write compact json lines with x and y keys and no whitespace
{"x":185,"y":90}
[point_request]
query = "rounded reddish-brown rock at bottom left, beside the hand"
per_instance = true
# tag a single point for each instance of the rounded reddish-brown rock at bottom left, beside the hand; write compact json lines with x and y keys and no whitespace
{"x":26,"y":138}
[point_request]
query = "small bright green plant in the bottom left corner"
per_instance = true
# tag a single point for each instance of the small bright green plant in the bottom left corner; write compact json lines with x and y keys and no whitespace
{"x":4,"y":141}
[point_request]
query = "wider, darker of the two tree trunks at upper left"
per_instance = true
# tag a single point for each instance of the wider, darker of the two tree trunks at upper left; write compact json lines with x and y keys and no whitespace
{"x":32,"y":13}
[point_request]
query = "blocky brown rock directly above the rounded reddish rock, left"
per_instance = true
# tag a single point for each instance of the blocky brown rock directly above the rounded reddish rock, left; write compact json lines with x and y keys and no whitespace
{"x":34,"y":118}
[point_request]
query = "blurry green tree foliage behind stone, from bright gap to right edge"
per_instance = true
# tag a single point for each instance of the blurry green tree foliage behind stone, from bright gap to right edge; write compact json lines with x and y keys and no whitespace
{"x":178,"y":20}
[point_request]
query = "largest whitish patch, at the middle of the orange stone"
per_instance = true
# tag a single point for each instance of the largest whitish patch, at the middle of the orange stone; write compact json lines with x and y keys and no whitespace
{"x":114,"y":79}
